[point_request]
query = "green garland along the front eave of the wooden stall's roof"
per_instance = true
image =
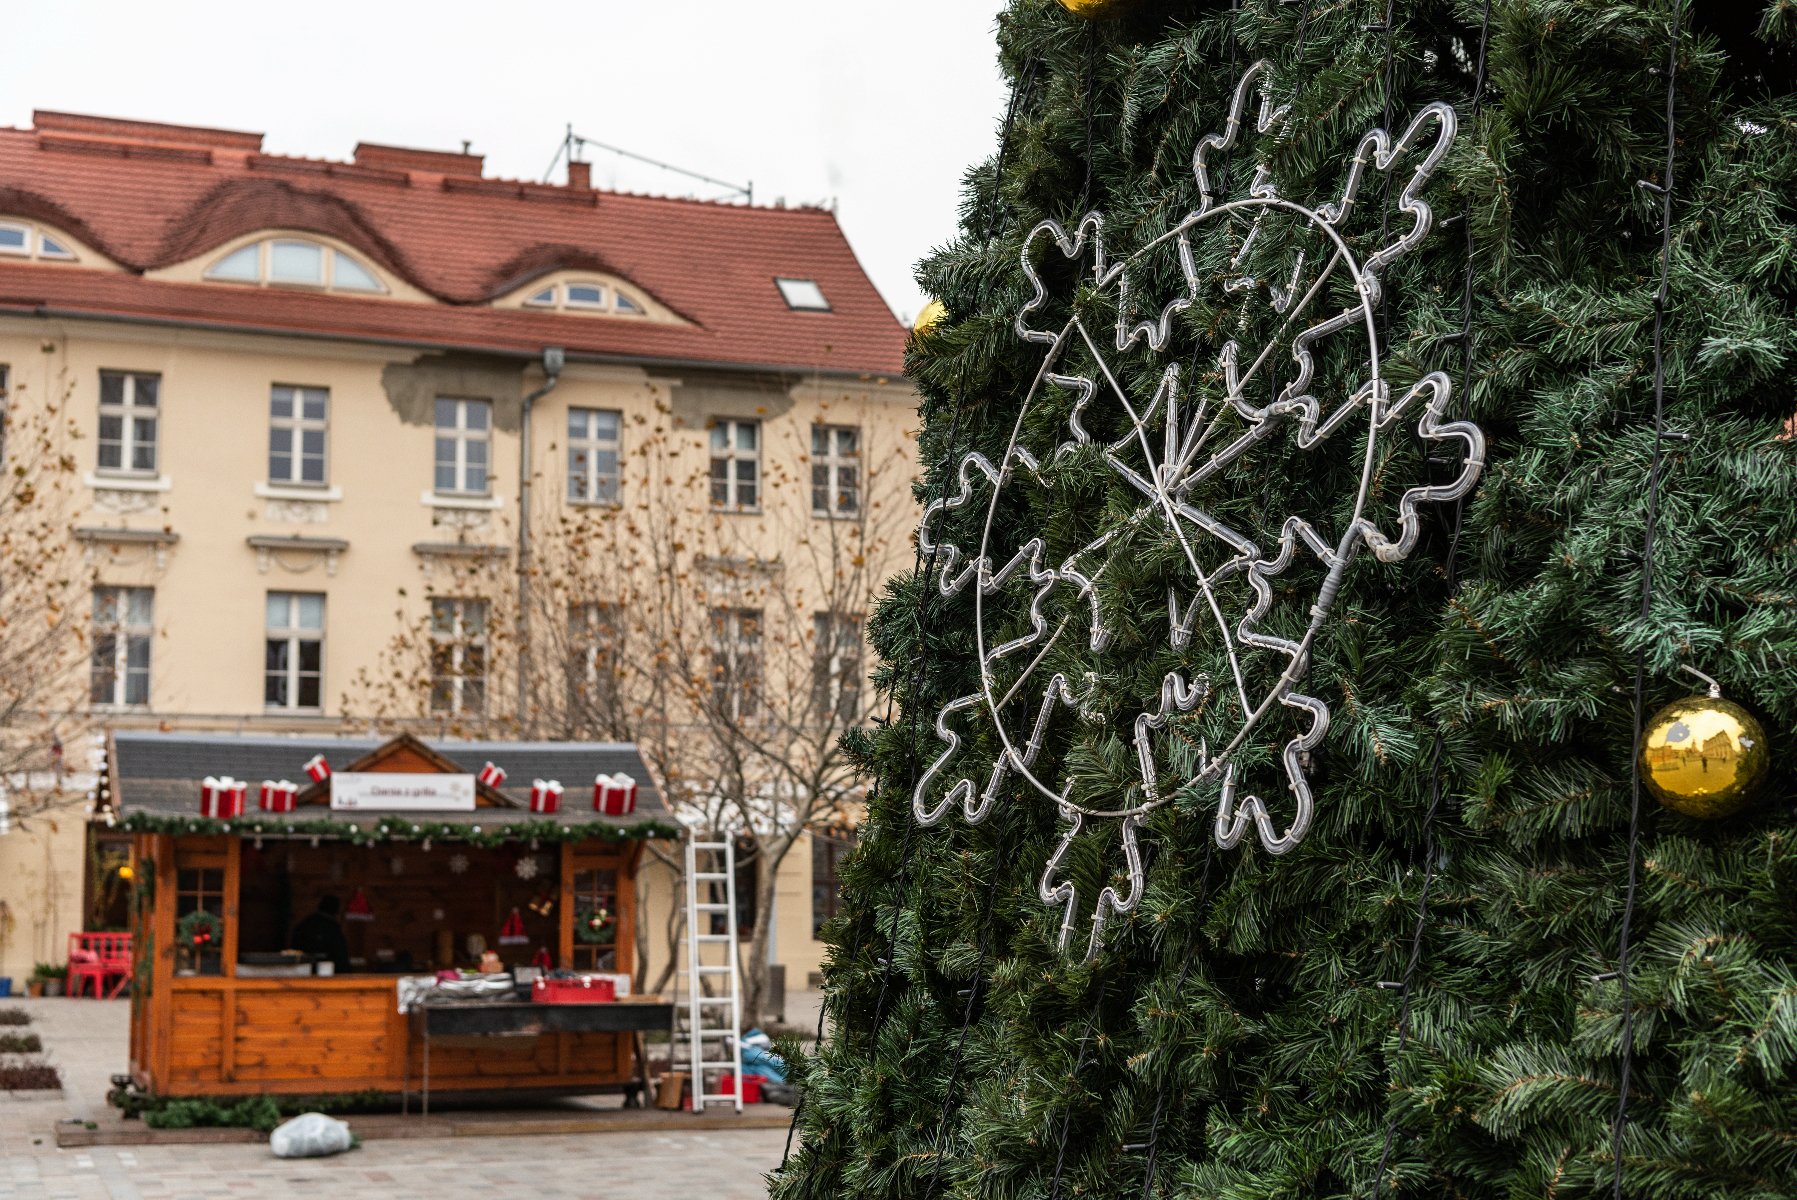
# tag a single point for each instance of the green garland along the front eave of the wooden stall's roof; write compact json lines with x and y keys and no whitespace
{"x":400,"y":831}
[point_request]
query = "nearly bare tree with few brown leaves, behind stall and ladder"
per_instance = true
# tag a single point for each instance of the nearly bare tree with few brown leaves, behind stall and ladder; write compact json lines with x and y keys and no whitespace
{"x":725,"y":644}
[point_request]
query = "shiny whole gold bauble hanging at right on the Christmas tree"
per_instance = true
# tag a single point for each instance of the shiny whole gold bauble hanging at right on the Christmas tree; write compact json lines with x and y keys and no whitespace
{"x":1704,"y":757}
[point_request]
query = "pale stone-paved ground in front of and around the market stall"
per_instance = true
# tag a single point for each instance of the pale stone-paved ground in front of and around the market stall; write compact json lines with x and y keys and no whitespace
{"x":87,"y":1041}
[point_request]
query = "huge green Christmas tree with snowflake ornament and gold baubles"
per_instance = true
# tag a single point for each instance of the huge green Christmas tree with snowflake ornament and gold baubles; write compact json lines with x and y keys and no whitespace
{"x":1311,"y":542}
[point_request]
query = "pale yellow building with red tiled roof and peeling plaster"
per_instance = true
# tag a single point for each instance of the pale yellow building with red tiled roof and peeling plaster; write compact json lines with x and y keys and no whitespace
{"x":299,"y":400}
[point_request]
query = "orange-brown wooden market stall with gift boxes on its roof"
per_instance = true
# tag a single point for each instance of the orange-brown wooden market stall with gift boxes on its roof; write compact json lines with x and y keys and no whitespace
{"x":423,"y":860}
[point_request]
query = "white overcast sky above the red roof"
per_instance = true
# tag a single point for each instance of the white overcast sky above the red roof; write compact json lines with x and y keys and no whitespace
{"x":878,"y":105}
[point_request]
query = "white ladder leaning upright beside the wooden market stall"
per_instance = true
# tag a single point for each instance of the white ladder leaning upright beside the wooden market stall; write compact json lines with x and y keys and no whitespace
{"x":707,"y":978}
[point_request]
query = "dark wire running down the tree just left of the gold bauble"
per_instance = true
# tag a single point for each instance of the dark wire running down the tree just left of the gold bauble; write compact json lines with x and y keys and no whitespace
{"x":1647,"y":597}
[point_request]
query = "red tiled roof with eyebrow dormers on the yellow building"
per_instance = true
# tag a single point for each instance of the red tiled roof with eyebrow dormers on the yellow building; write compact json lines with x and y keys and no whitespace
{"x":150,"y":197}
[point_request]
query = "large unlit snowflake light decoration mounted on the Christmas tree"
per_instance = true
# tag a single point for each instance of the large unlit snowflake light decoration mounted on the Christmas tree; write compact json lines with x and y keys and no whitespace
{"x":1142,"y":466}
